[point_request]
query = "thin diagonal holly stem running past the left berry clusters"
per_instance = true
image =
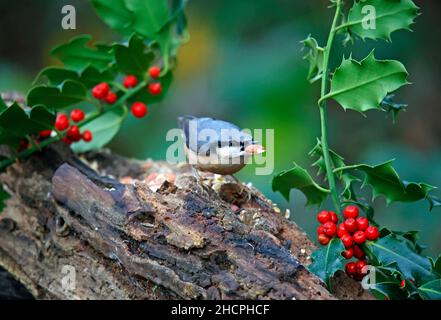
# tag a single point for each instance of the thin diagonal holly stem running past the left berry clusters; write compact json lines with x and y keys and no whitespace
{"x":60,"y":135}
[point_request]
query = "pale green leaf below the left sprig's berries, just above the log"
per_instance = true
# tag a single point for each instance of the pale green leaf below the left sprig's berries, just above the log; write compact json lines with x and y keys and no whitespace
{"x":103,"y":129}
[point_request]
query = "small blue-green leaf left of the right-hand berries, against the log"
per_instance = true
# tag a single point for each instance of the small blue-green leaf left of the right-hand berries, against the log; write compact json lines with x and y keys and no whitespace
{"x":327,"y":260}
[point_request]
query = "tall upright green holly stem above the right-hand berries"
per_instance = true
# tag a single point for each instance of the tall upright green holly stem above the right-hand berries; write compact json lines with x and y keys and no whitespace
{"x":322,"y":107}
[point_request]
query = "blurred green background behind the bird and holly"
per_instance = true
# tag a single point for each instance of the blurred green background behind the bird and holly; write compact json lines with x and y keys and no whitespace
{"x":244,"y":64}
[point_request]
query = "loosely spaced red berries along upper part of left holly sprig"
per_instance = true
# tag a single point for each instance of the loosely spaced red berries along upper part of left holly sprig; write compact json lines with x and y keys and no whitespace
{"x":139,"y":109}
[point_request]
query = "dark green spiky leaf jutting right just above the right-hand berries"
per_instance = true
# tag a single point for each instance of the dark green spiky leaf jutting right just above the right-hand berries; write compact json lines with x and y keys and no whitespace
{"x":385,"y":181}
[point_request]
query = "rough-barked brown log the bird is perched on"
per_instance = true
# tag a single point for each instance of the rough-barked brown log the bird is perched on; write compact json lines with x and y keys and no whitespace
{"x":149,"y":230}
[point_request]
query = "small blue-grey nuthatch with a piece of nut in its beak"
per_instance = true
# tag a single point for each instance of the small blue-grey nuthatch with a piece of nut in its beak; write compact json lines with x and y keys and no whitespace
{"x":217,"y":146}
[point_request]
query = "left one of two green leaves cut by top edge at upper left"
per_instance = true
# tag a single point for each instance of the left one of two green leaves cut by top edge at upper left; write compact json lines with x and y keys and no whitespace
{"x":115,"y":14}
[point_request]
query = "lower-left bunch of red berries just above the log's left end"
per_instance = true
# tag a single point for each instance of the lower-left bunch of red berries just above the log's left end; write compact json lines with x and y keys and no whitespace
{"x":73,"y":134}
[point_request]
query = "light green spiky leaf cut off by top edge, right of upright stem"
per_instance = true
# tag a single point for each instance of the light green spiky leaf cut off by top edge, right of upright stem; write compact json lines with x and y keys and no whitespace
{"x":378,"y":19}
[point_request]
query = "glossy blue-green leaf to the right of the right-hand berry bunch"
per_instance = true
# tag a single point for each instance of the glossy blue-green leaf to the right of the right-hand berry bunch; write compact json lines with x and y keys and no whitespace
{"x":392,"y":250}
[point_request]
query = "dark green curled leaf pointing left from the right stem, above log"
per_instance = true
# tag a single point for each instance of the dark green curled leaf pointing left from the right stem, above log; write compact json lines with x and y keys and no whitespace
{"x":299,"y":178}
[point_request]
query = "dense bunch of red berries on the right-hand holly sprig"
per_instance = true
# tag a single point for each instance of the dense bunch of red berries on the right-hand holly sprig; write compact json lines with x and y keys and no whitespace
{"x":353,"y":232}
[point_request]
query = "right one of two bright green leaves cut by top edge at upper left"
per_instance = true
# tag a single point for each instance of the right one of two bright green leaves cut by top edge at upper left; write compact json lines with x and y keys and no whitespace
{"x":149,"y":16}
